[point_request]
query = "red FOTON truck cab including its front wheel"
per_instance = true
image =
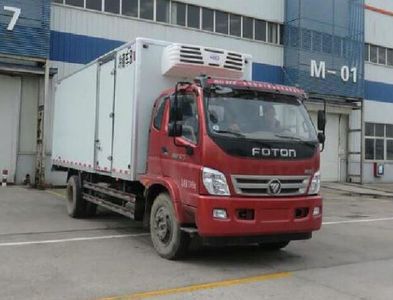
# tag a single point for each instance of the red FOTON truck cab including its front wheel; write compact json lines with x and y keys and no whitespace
{"x":232,"y":161}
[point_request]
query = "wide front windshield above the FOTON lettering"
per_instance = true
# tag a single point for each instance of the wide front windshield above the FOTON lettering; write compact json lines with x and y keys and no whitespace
{"x":259,"y":116}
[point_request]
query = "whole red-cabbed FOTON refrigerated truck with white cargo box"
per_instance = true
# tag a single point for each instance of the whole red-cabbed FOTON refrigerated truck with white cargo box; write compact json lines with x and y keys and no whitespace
{"x":179,"y":137}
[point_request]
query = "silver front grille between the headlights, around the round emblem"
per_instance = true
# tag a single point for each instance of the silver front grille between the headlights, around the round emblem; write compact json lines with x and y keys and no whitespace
{"x":255,"y":185}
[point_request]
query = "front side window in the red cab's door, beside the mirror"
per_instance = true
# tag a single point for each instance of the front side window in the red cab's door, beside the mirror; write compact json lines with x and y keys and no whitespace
{"x":190,"y":117}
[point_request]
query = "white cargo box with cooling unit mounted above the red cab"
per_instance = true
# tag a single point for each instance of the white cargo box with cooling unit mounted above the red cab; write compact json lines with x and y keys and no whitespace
{"x":103,"y":111}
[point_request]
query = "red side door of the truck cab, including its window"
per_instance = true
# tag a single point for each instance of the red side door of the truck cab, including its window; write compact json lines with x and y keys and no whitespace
{"x":181,"y":156}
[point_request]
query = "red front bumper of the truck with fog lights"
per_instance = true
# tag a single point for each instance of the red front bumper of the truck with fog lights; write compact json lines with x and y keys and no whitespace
{"x":270,"y":216}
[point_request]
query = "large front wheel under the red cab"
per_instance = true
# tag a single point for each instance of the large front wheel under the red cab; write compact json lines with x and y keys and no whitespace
{"x":168,"y":240}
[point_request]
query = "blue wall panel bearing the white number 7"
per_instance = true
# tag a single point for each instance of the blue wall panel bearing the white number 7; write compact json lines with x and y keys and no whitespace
{"x":30,"y":36}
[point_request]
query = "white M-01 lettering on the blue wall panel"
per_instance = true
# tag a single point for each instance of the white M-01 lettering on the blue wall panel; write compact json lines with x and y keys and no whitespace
{"x":346,"y":73}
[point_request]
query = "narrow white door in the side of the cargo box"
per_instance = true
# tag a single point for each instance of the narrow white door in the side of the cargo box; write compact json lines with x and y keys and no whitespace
{"x":104,"y":133}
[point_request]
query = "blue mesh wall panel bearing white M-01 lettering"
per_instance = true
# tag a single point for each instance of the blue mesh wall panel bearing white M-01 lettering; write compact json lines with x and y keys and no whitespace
{"x":327,"y":31}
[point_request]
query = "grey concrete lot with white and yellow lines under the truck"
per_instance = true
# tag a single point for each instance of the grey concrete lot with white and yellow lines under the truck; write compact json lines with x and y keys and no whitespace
{"x":46,"y":255}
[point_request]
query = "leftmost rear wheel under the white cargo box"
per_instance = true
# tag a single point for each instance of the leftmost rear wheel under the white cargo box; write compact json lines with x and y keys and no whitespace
{"x":76,"y":205}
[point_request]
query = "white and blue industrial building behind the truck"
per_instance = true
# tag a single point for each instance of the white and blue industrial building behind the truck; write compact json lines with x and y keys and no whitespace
{"x":339,"y":51}
